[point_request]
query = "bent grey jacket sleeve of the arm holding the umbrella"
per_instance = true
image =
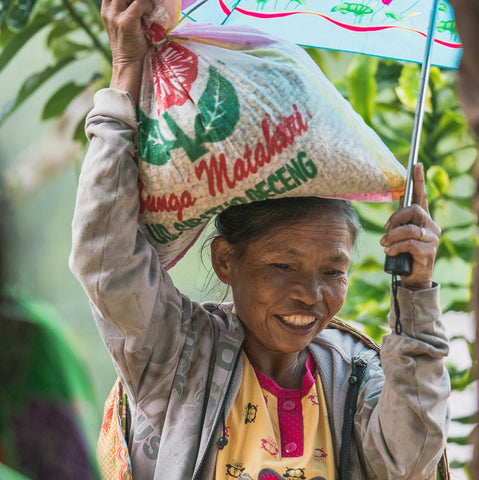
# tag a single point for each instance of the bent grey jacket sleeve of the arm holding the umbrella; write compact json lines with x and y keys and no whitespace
{"x":403,"y":425}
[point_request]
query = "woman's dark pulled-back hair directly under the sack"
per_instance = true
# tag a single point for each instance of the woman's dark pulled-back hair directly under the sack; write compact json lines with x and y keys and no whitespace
{"x":240,"y":224}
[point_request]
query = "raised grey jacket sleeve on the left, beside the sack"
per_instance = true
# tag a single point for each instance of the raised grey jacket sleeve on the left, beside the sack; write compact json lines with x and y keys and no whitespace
{"x":137,"y":308}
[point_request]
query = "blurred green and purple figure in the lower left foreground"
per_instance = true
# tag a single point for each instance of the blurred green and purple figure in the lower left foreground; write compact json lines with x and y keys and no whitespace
{"x":45,"y":394}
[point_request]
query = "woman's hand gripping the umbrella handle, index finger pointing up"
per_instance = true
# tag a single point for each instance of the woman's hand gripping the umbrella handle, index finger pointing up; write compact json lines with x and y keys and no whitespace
{"x":411,"y":229}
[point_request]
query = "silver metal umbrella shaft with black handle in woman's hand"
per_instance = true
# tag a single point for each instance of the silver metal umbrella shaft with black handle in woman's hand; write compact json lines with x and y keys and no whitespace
{"x":402,"y":264}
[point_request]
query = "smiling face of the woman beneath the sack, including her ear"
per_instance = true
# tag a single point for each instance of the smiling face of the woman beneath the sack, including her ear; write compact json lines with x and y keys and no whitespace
{"x":288,"y":285}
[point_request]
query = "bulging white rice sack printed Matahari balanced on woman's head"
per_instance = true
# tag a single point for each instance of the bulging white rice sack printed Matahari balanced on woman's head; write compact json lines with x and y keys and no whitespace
{"x":230,"y":115}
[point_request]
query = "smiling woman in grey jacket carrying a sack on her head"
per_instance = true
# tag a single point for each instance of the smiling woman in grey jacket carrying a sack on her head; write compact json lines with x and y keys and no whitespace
{"x":261,"y":388}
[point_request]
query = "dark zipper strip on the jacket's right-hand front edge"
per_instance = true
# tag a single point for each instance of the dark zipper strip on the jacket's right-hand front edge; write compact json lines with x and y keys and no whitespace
{"x":357,"y":374}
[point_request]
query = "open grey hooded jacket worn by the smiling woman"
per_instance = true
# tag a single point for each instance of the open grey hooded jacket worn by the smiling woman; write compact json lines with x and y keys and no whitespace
{"x":180,"y":363}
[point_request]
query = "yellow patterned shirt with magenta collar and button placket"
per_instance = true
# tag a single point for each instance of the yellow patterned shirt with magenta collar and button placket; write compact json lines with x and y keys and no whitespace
{"x":276,"y":433}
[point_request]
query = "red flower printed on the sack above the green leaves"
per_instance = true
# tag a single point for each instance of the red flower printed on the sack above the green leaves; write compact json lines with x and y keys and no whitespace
{"x":175,"y":68}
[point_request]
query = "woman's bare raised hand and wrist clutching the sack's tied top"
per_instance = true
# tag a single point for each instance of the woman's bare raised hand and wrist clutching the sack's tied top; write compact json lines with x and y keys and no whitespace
{"x":122,"y":19}
